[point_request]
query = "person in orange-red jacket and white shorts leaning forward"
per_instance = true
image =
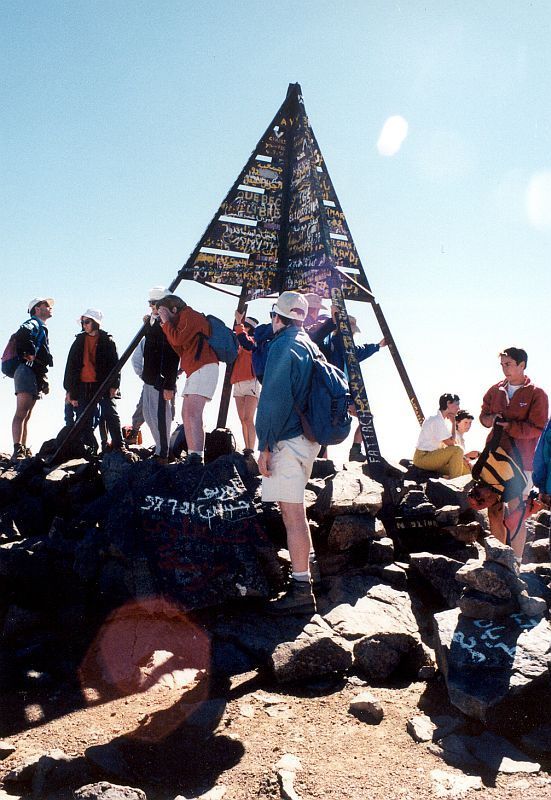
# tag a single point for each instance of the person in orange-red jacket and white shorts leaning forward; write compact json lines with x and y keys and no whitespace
{"x":187,"y":331}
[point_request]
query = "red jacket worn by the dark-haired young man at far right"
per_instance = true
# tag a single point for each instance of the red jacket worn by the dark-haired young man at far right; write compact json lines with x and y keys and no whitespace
{"x":527,"y":412}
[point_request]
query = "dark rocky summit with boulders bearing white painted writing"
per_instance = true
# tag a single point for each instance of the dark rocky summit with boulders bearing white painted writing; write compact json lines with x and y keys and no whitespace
{"x":124,"y":576}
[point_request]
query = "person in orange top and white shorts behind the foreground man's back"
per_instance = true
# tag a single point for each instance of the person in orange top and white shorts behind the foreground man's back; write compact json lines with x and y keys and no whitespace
{"x":246,"y":387}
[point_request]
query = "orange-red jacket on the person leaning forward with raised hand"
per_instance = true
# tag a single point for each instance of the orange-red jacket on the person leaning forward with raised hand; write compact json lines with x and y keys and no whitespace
{"x":183,"y":333}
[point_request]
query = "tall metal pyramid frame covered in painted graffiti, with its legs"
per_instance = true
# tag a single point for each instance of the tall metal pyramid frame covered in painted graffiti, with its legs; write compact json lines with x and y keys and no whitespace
{"x":280,"y":227}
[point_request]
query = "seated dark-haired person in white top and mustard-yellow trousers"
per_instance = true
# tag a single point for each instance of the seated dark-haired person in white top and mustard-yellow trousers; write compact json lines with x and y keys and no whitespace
{"x":437,"y":449}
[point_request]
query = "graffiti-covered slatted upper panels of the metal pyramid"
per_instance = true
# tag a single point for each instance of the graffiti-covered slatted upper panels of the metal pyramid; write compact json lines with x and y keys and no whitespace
{"x":314,"y":219}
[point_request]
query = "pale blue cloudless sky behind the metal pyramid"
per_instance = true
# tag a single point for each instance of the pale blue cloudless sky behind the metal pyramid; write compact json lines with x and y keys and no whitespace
{"x":124,"y":124}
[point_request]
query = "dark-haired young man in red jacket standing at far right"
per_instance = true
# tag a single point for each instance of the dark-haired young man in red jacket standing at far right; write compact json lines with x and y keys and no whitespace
{"x":520,"y":409}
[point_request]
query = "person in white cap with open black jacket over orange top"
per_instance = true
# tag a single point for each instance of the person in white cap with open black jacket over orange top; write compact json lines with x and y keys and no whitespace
{"x":91,"y":358}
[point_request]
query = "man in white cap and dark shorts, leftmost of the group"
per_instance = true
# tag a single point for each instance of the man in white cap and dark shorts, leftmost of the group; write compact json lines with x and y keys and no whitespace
{"x":30,"y":381}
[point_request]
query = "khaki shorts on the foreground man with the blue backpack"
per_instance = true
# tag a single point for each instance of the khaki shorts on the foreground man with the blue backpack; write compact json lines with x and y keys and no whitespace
{"x":291,"y":466}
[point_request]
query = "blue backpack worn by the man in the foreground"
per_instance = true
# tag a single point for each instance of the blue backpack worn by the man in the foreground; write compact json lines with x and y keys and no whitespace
{"x":326,"y":418}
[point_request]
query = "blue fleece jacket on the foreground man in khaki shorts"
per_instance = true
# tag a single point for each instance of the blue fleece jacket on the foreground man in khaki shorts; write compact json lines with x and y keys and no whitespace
{"x":286,"y":384}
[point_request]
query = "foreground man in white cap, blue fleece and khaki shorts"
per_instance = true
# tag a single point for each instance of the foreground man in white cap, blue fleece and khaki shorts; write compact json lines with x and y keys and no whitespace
{"x":286,"y":455}
